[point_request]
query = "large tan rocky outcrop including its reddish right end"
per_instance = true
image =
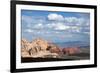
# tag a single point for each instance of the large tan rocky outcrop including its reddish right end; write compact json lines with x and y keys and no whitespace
{"x":38,"y":48}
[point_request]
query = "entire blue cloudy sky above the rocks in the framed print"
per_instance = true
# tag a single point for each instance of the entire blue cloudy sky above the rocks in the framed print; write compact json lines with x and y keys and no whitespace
{"x":55,"y":26}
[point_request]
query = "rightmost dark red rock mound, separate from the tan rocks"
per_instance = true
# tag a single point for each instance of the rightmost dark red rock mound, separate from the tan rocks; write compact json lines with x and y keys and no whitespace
{"x":70,"y":51}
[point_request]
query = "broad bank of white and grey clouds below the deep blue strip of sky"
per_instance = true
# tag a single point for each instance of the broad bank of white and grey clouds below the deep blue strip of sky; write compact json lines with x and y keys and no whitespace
{"x":53,"y":25}
